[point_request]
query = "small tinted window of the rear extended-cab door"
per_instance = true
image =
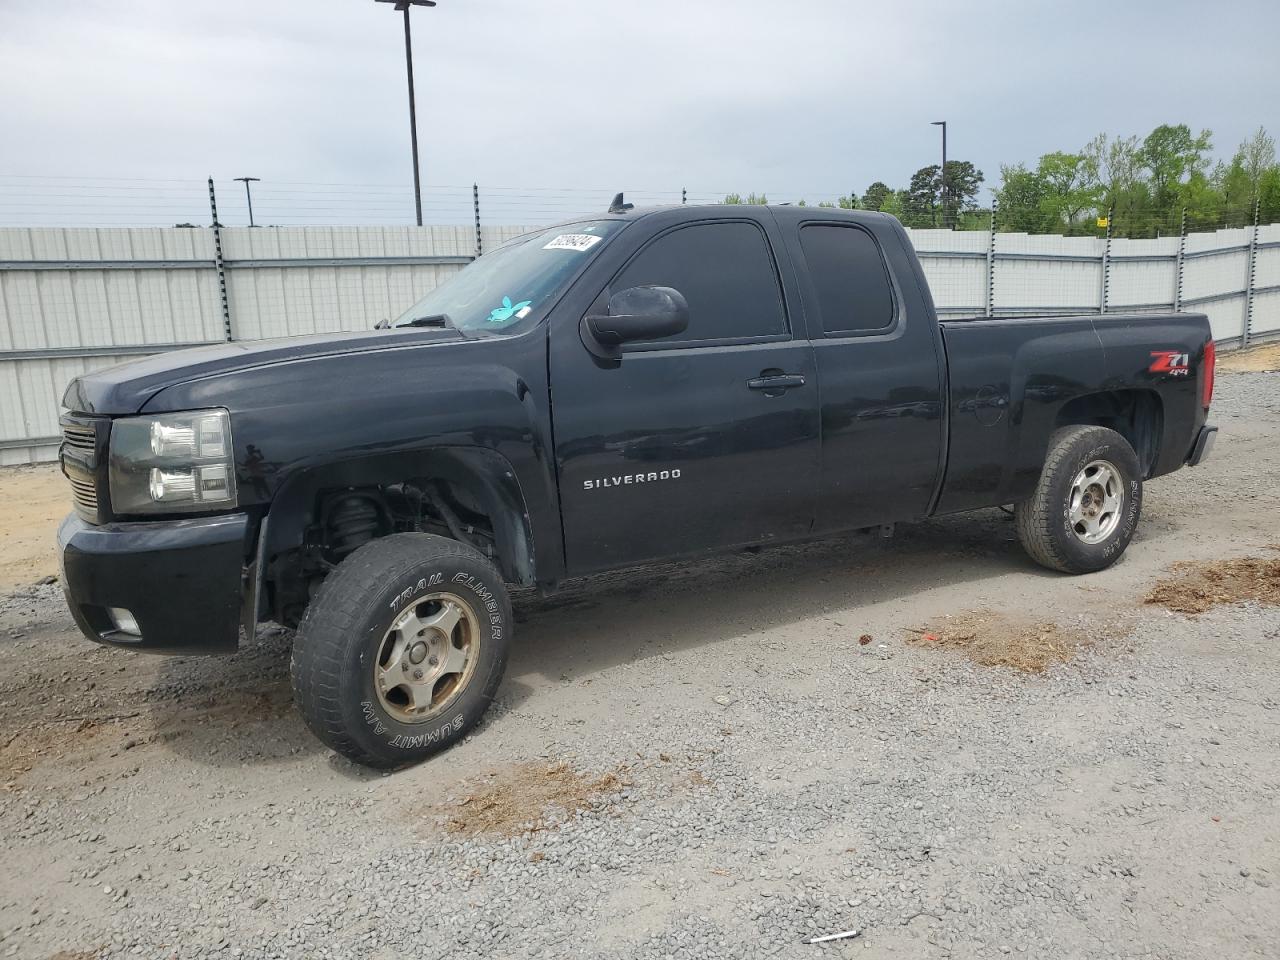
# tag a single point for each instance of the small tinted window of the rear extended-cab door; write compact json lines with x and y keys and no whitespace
{"x":851,"y":280}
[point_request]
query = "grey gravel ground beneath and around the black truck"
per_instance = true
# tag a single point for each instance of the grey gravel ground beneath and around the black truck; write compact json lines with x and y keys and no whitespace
{"x":748,"y":774}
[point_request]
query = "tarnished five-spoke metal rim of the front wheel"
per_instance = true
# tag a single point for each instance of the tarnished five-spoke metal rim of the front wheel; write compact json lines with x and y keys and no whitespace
{"x":427,"y":659}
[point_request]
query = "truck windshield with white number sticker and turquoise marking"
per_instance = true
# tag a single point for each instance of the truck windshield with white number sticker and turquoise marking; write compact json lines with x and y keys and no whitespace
{"x":501,"y":291}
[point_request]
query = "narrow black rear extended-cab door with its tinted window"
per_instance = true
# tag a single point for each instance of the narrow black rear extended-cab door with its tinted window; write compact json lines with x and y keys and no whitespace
{"x":880,"y":372}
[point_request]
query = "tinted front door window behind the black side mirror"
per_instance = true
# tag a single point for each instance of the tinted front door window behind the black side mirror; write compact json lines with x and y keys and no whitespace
{"x":726,"y":273}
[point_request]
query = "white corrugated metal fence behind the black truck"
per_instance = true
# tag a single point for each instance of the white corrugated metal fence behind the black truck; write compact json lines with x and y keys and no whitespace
{"x":77,"y":299}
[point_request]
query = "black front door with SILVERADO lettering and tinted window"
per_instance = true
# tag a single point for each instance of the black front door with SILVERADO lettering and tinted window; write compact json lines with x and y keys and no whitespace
{"x":700,"y":441}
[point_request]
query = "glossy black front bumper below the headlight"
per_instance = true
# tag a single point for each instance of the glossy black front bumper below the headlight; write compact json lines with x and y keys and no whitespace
{"x":182,"y":580}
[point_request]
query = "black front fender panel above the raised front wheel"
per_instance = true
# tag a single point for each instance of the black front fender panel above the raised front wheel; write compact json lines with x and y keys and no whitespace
{"x":478,"y":409}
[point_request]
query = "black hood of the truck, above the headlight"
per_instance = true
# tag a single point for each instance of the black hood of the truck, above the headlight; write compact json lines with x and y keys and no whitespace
{"x":125,"y":388}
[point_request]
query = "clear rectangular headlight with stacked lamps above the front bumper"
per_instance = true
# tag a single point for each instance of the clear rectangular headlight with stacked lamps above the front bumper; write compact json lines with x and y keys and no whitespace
{"x":173,"y":463}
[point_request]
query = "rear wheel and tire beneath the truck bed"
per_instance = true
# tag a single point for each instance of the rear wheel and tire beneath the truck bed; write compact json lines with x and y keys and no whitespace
{"x":1048,"y":528}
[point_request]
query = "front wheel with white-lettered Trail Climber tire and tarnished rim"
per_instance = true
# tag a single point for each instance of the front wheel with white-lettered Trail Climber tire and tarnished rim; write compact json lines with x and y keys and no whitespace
{"x":383,"y":696}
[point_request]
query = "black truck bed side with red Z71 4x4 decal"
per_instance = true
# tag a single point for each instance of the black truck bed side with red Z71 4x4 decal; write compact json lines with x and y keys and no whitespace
{"x":1013,"y":380}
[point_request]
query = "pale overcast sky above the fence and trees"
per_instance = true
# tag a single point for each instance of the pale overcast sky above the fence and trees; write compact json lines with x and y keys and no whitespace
{"x":559,"y":98}
